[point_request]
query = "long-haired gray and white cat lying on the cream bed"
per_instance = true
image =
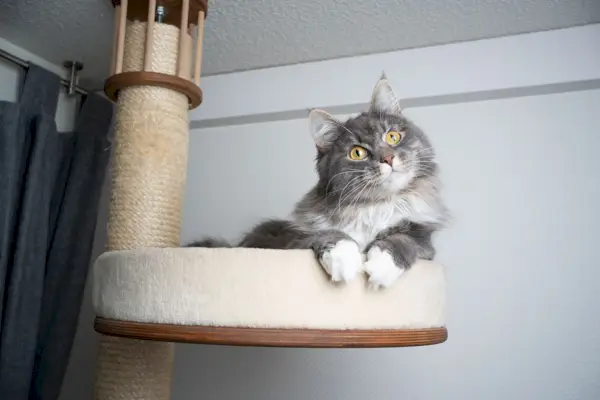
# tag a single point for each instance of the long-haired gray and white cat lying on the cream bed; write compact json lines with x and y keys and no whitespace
{"x":377,"y":201}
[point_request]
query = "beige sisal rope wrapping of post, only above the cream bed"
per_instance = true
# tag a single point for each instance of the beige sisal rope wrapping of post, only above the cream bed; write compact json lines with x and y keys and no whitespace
{"x":151,"y":155}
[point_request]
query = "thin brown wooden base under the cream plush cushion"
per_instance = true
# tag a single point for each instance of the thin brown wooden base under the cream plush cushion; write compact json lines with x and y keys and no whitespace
{"x":271,"y":337}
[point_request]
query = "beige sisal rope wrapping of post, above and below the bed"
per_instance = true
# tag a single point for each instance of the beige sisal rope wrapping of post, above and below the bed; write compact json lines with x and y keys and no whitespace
{"x":149,"y":167}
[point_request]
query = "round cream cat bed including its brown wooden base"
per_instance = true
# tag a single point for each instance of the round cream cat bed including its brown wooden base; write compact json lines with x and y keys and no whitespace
{"x":263,"y":298}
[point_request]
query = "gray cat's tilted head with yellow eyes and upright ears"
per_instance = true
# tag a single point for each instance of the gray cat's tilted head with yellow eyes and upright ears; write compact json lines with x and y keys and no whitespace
{"x":372,"y":155}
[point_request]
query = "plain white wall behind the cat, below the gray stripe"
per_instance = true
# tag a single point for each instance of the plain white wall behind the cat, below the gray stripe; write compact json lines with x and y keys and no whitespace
{"x":520,"y":176}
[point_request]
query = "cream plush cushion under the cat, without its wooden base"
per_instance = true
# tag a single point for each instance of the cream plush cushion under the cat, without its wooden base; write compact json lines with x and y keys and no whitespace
{"x":258,"y":288}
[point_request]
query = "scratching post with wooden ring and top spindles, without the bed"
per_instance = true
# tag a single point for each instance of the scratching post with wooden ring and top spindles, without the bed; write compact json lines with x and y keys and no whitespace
{"x":152,"y":85}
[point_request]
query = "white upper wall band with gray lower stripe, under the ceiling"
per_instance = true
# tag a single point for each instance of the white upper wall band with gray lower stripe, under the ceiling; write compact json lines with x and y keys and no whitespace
{"x":528,"y":64}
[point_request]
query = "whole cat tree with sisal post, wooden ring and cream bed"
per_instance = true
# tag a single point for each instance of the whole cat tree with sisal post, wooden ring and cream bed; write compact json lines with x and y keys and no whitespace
{"x":148,"y":293}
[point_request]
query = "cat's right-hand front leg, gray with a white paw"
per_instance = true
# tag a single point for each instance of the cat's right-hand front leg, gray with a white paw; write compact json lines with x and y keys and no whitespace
{"x":394,"y":251}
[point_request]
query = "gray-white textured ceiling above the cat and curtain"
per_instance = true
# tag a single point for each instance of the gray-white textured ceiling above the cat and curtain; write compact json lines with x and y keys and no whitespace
{"x":246,"y":34}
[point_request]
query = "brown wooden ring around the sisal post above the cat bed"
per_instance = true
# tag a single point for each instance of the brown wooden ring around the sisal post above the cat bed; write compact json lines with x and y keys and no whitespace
{"x":144,"y":78}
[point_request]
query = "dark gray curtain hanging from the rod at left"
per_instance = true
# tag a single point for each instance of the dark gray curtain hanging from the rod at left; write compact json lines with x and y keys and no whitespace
{"x":50,"y":185}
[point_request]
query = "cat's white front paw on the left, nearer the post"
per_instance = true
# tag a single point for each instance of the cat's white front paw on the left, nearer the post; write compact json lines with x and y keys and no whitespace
{"x":343,"y":261}
